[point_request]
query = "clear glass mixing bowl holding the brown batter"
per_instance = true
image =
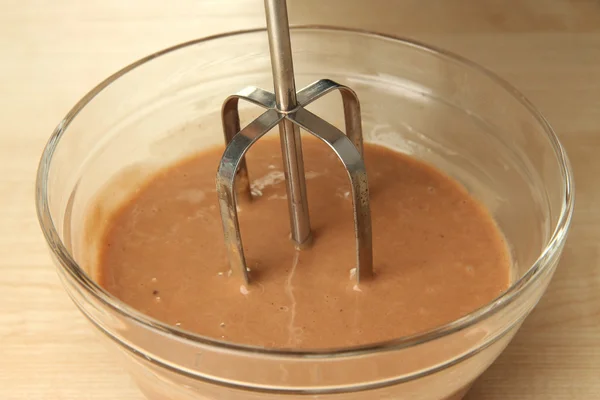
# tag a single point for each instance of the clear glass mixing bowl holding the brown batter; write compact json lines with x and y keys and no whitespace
{"x":424,"y":102}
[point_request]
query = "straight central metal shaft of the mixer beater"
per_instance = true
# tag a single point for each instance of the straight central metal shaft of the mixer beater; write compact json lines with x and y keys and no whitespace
{"x":285,"y":93}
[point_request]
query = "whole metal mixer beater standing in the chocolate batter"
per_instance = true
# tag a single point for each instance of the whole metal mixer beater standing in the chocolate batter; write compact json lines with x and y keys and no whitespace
{"x":286,"y":108}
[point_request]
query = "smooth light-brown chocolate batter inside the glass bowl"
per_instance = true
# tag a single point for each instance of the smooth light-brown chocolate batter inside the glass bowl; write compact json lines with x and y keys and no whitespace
{"x":438,"y":254}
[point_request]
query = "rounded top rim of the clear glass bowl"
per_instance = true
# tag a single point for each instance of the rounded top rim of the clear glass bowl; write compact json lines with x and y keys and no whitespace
{"x":69,"y":265}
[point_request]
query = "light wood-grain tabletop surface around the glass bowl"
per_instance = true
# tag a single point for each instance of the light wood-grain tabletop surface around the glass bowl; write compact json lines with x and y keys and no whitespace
{"x":52,"y":52}
